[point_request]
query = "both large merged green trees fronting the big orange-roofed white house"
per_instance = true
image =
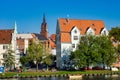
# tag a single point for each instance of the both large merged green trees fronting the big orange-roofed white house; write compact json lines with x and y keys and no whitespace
{"x":94,"y":50}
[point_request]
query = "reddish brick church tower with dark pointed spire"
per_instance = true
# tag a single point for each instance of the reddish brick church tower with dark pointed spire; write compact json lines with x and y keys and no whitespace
{"x":44,"y":29}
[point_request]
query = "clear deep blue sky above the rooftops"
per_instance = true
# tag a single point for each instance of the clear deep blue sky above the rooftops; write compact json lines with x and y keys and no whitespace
{"x":29,"y":13}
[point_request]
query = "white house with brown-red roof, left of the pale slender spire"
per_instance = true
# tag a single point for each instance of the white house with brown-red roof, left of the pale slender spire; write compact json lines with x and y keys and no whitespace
{"x":5,"y":42}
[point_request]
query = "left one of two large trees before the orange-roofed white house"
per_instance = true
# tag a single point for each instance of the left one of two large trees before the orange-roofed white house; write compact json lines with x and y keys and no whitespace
{"x":86,"y":53}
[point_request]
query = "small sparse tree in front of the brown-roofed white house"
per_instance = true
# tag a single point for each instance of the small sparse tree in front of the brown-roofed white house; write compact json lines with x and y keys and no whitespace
{"x":9,"y":58}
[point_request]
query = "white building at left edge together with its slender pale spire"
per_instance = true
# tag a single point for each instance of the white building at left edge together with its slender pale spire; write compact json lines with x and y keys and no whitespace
{"x":8,"y":40}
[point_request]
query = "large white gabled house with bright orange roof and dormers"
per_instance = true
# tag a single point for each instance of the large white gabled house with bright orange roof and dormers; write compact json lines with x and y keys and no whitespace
{"x":69,"y":32}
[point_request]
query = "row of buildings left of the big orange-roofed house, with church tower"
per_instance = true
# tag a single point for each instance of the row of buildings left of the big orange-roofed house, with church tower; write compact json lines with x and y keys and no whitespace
{"x":19,"y":43}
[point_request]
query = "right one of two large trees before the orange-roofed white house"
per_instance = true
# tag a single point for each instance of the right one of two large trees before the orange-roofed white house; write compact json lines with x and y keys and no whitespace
{"x":107,"y":51}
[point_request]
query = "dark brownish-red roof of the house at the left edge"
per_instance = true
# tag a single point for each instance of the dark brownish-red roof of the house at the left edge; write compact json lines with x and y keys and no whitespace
{"x":6,"y":36}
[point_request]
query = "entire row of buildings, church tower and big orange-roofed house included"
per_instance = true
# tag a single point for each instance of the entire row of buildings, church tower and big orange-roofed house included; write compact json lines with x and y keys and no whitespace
{"x":66,"y":39}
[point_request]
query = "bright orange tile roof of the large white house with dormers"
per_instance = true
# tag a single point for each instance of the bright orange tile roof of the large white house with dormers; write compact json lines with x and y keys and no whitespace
{"x":66,"y":25}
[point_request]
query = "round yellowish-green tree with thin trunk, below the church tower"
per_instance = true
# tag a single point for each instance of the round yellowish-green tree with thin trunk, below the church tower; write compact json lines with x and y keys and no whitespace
{"x":37,"y":53}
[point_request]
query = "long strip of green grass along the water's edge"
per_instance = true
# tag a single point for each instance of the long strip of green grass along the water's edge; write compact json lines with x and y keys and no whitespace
{"x":48,"y":73}
